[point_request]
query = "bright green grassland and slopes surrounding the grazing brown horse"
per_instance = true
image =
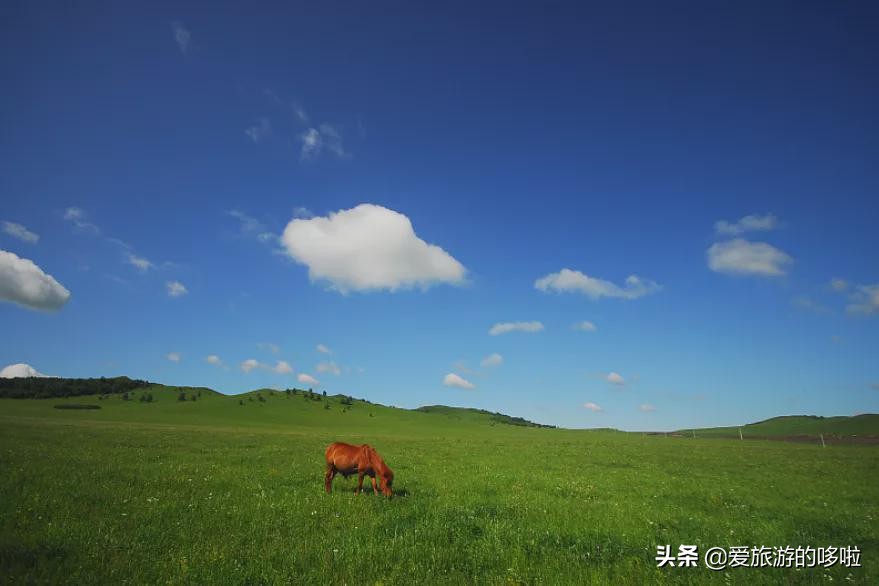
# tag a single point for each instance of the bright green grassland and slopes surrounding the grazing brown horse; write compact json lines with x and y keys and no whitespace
{"x":211,"y":491}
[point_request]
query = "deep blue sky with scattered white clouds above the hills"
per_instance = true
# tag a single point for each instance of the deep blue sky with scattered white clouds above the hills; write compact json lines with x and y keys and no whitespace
{"x":393,"y":181}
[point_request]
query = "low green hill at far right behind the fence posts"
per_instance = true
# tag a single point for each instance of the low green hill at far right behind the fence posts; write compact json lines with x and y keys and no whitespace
{"x":799,"y":427}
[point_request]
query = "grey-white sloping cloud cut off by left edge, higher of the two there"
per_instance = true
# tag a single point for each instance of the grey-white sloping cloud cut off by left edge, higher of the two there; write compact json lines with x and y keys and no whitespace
{"x":24,"y":283}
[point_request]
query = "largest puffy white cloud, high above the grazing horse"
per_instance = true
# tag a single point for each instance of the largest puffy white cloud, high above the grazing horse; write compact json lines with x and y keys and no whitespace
{"x":366,"y":248}
